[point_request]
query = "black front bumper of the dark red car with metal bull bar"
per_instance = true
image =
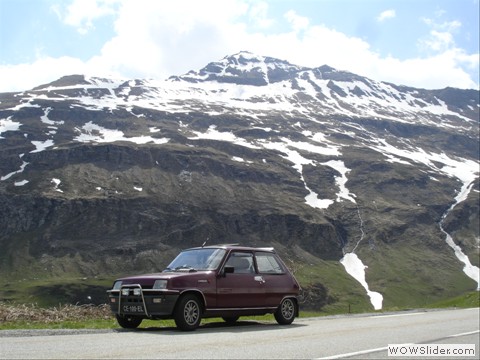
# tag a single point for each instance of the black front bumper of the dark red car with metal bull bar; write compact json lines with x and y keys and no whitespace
{"x":146,"y":303}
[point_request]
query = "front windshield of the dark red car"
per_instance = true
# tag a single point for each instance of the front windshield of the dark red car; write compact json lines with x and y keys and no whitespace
{"x":197,"y":259}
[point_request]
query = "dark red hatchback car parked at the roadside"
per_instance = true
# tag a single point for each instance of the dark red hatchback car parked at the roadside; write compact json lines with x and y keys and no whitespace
{"x":226,"y":281}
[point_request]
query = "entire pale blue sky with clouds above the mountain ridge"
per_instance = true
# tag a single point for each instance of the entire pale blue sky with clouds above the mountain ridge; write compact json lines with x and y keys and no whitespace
{"x":420,"y":43}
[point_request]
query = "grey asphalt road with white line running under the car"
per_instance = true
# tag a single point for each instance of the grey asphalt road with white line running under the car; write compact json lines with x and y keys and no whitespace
{"x":353,"y":336}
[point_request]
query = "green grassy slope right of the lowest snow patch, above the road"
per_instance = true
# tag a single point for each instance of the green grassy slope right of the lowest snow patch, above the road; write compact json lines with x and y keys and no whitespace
{"x":414,"y":276}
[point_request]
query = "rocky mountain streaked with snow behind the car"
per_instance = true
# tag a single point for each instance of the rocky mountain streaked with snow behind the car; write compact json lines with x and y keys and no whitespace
{"x":330,"y":167}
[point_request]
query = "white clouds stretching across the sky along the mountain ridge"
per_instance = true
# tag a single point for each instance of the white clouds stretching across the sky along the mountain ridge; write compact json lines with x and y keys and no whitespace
{"x":156,"y":39}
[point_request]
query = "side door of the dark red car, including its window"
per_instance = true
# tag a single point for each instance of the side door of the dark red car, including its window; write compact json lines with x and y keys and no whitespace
{"x":243,"y":288}
